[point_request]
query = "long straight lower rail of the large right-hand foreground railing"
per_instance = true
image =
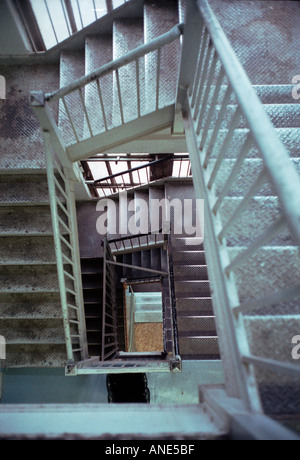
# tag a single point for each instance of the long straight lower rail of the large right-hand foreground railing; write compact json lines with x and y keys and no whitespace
{"x":238,"y":383}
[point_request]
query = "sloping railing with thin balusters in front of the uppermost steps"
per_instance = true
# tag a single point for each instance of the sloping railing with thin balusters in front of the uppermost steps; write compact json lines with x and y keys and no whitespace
{"x":117,"y":93}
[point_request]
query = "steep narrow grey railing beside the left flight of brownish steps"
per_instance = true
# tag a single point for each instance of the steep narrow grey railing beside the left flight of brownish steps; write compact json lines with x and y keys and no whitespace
{"x":64,"y":222}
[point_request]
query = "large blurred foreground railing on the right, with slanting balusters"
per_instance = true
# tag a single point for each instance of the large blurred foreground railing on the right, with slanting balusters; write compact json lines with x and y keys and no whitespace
{"x":222,"y":112}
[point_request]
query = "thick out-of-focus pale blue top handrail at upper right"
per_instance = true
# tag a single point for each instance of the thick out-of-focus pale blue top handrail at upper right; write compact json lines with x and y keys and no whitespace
{"x":283,"y":175}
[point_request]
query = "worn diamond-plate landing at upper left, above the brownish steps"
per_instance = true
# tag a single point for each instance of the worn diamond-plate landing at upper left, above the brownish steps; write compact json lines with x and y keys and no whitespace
{"x":21,"y":137}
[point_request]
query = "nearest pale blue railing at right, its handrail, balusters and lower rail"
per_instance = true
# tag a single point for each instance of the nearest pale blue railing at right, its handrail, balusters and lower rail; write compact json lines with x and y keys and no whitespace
{"x":195,"y":88}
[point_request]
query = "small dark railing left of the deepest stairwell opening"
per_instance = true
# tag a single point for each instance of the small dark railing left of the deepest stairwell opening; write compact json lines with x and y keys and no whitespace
{"x":109,"y":346}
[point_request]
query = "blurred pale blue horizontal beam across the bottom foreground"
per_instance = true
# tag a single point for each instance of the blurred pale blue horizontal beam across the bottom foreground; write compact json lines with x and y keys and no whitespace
{"x":94,"y":421}
